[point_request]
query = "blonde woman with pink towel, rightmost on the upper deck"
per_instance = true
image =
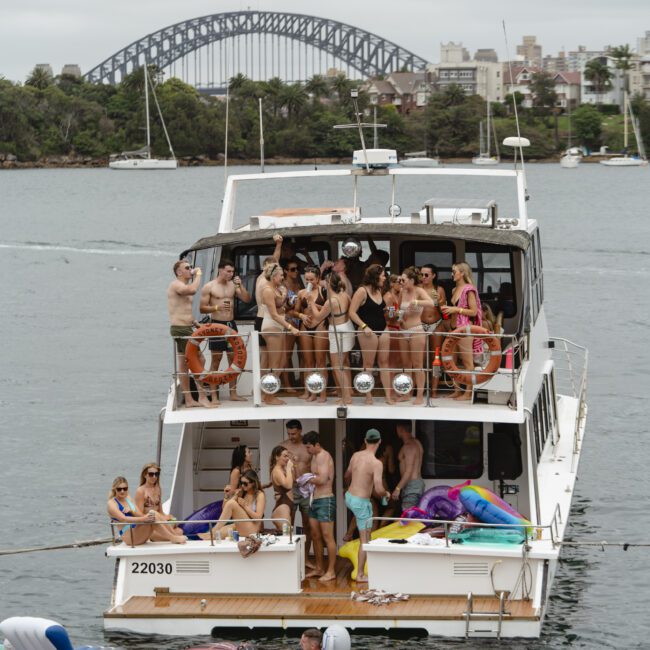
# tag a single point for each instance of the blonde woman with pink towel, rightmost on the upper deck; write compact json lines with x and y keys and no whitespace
{"x":465,"y":309}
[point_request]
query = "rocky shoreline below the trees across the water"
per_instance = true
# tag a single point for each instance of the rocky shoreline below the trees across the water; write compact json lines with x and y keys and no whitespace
{"x":9,"y":161}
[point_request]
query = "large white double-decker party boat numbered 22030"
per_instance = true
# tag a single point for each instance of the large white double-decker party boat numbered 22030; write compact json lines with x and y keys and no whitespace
{"x":520,"y":436}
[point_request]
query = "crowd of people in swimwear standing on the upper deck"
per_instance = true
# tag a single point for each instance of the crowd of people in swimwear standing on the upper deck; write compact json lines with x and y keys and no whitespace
{"x":325,"y":310}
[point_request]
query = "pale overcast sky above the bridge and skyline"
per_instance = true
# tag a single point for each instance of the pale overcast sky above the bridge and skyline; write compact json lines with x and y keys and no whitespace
{"x":88,"y":31}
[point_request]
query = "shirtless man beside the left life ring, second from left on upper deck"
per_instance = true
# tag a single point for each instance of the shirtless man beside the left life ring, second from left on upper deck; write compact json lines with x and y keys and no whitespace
{"x":218,"y":300}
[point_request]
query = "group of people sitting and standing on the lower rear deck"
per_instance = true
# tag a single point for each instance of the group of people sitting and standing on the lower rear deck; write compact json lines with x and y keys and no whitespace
{"x":302,"y":478}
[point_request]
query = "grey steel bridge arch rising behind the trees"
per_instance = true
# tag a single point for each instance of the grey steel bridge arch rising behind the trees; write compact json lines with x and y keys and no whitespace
{"x":367,"y":53}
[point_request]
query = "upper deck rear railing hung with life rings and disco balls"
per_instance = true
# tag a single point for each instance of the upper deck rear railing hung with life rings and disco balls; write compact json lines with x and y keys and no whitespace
{"x":358,"y":371}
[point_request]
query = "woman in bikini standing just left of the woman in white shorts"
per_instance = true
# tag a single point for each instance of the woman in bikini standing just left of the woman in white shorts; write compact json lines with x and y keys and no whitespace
{"x":313,"y":340}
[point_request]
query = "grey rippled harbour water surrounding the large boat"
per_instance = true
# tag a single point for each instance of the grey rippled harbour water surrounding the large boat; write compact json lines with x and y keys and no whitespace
{"x":85,"y":367}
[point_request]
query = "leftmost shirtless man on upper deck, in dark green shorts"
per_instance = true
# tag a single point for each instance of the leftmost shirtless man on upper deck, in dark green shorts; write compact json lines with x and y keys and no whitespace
{"x":179,"y":305}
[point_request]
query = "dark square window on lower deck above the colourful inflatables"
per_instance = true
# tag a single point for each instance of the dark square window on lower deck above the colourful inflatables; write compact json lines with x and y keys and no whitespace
{"x":452,"y":450}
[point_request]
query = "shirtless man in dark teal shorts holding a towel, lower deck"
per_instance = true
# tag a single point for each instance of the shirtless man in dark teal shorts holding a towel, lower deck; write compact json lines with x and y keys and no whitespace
{"x":323,"y":508}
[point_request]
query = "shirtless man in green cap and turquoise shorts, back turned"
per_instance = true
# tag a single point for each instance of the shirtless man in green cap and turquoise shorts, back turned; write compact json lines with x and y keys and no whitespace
{"x":364,"y":473}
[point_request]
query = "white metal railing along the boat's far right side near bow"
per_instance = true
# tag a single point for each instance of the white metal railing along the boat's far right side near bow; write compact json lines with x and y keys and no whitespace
{"x":570,"y":362}
